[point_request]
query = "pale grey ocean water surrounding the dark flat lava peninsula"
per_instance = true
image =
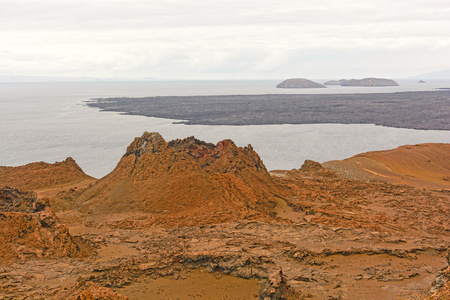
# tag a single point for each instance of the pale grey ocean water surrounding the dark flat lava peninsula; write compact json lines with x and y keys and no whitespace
{"x":50,"y":122}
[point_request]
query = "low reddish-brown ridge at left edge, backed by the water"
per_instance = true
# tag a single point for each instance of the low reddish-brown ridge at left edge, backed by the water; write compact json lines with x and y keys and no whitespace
{"x":40,"y":175}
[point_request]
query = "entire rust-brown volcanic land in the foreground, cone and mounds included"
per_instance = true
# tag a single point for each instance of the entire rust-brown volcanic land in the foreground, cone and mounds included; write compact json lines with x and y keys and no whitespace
{"x":191,"y":220}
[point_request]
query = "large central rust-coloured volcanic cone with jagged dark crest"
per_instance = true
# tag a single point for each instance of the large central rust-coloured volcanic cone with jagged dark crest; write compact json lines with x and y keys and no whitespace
{"x":185,"y":182}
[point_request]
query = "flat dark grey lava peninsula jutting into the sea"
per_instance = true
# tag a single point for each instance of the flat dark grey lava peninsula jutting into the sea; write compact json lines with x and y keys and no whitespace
{"x":424,"y":110}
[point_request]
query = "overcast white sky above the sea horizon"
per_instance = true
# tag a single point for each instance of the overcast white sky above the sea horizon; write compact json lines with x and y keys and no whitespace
{"x":232,"y":39}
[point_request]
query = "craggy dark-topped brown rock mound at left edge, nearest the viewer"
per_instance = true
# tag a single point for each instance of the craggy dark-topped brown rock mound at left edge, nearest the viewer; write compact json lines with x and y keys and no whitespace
{"x":30,"y":229}
